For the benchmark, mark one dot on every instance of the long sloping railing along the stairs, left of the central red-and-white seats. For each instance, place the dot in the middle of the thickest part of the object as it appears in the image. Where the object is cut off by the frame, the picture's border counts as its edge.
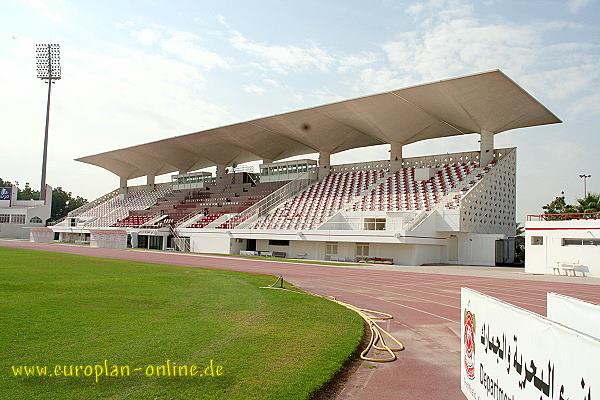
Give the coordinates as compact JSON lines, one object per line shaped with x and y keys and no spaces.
{"x":263,"y":206}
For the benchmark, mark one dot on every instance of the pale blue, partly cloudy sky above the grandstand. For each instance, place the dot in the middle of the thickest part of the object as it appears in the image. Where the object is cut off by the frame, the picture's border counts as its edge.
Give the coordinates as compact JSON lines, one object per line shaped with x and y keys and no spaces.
{"x":138,"y":71}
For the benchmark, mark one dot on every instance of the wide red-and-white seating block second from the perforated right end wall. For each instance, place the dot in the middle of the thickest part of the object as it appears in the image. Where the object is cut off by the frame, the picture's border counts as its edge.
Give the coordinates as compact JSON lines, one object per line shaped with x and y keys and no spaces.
{"x":400,"y":192}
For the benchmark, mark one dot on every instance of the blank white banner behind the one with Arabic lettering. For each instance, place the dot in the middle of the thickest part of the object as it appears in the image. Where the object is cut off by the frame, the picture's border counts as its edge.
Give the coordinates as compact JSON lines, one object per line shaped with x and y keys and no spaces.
{"x":574,"y":313}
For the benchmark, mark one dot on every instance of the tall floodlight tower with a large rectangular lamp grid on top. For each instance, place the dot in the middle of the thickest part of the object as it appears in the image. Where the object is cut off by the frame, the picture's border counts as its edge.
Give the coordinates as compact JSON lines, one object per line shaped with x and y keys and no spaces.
{"x":48,"y":69}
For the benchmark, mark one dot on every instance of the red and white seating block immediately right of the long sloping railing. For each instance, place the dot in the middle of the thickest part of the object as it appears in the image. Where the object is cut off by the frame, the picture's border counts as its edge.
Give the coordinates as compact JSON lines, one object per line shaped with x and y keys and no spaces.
{"x":319,"y":201}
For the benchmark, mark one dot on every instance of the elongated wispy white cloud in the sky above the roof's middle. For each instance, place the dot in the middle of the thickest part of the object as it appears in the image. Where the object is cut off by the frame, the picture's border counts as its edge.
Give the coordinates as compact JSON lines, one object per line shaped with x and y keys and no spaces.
{"x":283,"y":58}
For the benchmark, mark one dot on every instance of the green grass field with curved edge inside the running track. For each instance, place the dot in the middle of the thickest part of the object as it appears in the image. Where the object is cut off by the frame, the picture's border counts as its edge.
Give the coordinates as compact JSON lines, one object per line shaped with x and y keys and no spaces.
{"x":60,"y":309}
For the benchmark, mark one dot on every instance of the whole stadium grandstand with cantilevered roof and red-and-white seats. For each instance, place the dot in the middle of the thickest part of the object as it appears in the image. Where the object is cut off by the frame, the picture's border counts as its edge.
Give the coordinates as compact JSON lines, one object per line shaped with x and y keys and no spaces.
{"x":445,"y":208}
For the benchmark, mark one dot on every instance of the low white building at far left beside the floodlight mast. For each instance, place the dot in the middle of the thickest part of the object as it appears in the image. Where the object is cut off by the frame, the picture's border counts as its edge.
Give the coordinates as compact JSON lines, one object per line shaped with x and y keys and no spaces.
{"x":17,"y":217}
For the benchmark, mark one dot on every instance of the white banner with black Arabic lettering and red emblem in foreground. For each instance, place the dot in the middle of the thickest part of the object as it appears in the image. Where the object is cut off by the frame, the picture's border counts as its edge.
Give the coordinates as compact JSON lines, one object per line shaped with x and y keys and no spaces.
{"x":511,"y":353}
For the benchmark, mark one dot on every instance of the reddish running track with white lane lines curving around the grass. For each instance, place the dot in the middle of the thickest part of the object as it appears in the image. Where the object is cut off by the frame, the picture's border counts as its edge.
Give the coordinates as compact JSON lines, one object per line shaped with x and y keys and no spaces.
{"x":425,"y":306}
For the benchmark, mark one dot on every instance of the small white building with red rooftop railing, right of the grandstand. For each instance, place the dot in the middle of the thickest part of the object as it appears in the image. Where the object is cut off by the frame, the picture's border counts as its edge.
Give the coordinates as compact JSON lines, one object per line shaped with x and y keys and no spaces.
{"x":564,"y":245}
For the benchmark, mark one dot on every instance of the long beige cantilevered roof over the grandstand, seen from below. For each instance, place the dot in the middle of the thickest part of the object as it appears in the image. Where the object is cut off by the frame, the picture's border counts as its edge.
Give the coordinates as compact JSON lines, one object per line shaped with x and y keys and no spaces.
{"x":487,"y":101}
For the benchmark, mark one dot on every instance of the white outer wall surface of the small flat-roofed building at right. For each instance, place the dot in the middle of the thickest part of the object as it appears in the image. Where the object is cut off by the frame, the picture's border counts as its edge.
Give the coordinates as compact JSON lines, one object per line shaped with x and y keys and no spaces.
{"x":541,"y":259}
